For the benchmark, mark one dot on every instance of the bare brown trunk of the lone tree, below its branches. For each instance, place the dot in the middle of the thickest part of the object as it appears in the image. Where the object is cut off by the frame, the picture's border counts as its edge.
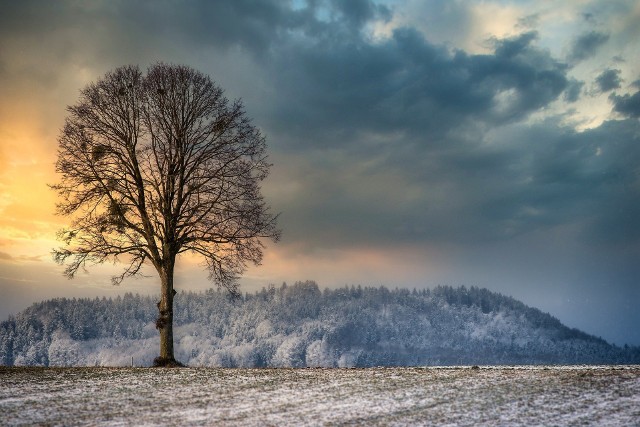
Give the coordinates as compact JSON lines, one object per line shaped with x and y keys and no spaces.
{"x":164,"y":323}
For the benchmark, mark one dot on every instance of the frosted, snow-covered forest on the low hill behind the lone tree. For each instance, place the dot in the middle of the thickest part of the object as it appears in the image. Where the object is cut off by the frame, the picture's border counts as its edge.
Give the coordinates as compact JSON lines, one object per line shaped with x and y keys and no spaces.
{"x":301,"y":325}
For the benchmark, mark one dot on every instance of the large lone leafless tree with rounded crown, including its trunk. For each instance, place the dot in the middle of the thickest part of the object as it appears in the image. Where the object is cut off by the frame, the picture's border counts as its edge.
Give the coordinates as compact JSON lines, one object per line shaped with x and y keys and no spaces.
{"x":156,"y":165}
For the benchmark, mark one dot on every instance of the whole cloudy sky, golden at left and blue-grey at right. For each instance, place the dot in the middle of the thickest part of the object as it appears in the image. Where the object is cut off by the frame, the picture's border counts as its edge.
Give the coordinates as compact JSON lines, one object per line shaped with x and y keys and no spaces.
{"x":482,"y":143}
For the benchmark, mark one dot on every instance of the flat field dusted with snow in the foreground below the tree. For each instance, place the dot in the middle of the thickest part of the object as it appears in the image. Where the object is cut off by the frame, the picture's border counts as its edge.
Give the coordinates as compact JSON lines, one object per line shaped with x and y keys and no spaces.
{"x":582,"y":395}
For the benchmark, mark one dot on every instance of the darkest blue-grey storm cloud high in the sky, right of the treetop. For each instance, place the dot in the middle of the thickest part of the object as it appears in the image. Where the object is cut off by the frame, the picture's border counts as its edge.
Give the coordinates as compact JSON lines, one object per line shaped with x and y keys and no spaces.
{"x":405,"y":84}
